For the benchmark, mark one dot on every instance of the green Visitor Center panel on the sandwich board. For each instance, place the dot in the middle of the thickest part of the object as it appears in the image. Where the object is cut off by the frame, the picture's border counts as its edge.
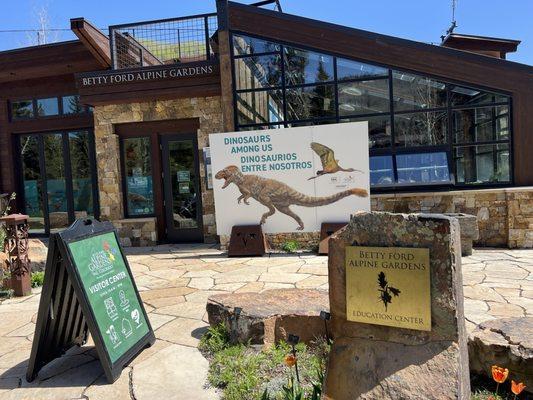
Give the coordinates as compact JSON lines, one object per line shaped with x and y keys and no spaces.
{"x":110,"y":291}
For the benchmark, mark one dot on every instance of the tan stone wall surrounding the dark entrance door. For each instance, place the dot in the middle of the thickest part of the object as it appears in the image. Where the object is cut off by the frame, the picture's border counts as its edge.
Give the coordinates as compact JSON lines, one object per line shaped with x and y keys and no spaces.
{"x":206,"y":109}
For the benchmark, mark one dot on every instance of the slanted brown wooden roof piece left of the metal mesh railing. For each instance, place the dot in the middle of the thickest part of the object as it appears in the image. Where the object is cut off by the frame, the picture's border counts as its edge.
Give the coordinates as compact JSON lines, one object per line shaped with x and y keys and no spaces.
{"x":94,"y":39}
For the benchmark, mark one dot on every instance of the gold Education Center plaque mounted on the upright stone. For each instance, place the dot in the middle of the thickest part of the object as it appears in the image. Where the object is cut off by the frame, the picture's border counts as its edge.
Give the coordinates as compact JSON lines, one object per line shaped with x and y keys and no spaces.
{"x":388,"y":286}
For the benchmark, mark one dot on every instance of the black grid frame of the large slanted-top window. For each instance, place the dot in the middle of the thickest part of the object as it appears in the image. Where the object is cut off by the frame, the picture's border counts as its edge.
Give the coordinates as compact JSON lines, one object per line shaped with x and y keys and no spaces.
{"x":448,"y":147}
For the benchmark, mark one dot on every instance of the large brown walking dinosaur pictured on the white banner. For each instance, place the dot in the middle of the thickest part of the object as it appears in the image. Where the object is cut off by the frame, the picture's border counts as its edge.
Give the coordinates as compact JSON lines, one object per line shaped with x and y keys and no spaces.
{"x":276,"y":195}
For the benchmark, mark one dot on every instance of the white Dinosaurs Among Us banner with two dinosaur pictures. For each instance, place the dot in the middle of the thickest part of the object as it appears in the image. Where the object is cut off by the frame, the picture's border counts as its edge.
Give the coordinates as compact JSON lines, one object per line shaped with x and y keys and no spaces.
{"x":291,"y":179}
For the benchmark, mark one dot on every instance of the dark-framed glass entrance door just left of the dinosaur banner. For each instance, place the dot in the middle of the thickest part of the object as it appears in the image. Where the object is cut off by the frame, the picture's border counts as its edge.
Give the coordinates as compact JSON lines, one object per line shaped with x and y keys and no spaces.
{"x":183,"y":204}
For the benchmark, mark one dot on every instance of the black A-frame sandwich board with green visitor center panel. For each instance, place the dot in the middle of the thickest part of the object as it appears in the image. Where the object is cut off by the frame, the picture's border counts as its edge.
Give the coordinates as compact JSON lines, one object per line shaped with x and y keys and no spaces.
{"x":89,"y":288}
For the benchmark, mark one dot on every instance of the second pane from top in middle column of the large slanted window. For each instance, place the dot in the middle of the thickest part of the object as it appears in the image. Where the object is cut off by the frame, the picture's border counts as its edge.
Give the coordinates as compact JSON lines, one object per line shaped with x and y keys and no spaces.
{"x":364,"y":97}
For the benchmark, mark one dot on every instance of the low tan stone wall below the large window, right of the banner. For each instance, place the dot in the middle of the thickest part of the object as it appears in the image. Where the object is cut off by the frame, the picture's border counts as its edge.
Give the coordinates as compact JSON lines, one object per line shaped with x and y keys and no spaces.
{"x":505,"y":216}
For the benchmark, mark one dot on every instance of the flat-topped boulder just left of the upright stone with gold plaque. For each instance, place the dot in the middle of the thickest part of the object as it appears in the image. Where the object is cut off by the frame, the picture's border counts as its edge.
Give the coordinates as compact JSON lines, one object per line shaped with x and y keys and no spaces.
{"x":270,"y":316}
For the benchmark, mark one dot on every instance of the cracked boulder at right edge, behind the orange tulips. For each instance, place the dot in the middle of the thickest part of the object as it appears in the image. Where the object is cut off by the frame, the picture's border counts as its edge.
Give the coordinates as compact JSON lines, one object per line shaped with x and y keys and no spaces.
{"x":507,"y":342}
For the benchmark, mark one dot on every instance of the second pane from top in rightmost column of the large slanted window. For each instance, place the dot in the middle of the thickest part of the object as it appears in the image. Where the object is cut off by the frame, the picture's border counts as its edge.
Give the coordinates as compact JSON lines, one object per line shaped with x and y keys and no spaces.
{"x":484,"y":124}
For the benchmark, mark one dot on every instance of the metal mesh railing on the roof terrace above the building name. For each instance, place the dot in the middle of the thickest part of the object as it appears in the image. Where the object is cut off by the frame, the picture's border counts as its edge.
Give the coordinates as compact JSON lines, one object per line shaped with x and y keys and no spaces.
{"x":168,"y":41}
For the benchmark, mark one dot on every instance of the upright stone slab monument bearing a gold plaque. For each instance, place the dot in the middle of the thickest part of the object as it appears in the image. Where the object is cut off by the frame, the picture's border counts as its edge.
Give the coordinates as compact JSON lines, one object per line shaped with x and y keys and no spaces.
{"x":396,"y":302}
